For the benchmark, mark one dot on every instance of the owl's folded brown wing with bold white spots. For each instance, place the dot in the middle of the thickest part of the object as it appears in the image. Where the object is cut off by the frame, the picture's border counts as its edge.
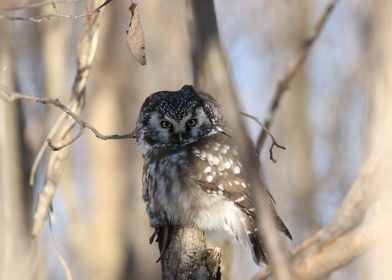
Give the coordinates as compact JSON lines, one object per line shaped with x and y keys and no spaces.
{"x":216,"y":168}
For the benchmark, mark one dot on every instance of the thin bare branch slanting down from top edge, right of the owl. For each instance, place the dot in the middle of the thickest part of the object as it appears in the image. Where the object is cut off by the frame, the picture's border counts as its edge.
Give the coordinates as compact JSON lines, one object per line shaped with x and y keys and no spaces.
{"x":284,"y":83}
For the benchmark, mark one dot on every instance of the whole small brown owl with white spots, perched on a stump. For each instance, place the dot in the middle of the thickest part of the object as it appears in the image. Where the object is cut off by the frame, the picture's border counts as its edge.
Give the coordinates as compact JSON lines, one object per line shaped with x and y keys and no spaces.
{"x":192,"y":173}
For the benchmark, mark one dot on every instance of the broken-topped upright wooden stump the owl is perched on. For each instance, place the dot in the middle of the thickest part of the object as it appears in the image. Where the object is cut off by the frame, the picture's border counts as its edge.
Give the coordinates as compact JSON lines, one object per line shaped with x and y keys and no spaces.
{"x":187,"y":257}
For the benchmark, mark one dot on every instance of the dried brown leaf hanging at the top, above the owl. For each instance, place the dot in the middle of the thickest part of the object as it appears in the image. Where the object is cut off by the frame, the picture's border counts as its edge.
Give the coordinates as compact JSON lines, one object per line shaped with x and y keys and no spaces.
{"x":136,"y":36}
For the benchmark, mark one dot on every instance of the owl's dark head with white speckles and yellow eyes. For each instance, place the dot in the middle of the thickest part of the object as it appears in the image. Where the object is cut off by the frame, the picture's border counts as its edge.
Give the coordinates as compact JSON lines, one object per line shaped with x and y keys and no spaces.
{"x":177,"y":118}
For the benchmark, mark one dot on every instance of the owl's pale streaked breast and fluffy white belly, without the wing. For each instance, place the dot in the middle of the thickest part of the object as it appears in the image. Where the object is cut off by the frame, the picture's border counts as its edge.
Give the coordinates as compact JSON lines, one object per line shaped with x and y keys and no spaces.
{"x":173,"y":196}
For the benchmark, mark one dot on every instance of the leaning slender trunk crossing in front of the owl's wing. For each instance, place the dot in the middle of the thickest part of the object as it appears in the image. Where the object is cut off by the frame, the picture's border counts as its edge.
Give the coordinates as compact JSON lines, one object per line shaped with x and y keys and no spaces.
{"x":212,"y":74}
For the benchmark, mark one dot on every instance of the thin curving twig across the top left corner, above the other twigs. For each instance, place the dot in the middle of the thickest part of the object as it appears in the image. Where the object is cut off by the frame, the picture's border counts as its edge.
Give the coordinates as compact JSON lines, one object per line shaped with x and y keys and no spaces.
{"x":55,"y":14}
